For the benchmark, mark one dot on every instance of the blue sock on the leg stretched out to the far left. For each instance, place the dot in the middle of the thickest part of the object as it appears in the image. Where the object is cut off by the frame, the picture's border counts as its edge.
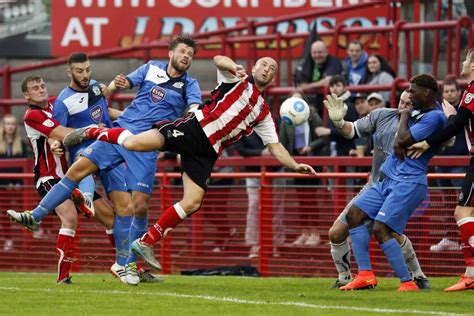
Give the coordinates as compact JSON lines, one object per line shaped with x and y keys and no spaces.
{"x":57,"y":195}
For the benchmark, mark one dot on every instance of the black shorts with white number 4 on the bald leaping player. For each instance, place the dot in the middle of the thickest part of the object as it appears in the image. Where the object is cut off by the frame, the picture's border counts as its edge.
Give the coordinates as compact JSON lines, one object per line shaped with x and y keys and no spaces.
{"x":186,"y":137}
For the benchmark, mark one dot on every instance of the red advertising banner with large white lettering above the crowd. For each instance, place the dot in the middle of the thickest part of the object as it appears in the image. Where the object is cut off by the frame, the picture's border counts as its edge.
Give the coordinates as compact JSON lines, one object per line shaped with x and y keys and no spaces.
{"x":91,"y":25}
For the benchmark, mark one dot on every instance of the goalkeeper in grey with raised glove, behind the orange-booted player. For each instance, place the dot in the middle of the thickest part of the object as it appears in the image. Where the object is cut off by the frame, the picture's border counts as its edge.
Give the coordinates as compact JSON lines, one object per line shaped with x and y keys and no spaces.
{"x":382,"y":124}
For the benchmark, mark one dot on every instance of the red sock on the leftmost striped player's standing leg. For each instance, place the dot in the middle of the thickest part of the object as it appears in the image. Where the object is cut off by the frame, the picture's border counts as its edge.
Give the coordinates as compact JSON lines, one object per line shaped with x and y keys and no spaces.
{"x":65,"y":248}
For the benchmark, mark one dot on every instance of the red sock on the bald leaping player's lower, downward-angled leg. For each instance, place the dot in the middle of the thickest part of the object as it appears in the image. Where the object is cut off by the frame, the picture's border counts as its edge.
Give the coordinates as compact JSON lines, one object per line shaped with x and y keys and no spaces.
{"x":167,"y":221}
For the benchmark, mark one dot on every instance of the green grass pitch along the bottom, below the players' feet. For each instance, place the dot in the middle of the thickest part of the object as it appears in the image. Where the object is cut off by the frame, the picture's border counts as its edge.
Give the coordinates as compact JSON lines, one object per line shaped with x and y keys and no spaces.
{"x":101,"y":294}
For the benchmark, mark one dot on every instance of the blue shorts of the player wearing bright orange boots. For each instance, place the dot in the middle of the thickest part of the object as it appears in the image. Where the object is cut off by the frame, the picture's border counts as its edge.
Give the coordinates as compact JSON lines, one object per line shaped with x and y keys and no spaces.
{"x":392,"y":202}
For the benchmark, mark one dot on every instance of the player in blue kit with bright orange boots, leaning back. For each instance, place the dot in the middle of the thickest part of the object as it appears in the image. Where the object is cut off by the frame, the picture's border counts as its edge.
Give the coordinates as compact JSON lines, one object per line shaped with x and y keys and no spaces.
{"x":391,"y":201}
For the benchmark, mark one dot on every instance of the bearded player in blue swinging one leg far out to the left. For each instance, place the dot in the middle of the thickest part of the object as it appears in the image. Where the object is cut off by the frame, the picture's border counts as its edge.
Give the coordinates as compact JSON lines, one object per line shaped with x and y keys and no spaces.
{"x":165,"y":92}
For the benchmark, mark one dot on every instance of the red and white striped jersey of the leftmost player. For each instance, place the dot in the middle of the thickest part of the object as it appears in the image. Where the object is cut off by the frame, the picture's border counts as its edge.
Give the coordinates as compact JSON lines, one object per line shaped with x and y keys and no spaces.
{"x":38,"y":125}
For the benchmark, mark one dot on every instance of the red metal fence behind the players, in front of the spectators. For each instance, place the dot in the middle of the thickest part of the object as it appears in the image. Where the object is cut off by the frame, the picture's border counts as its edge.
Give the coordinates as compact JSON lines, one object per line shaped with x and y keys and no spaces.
{"x":215,"y":236}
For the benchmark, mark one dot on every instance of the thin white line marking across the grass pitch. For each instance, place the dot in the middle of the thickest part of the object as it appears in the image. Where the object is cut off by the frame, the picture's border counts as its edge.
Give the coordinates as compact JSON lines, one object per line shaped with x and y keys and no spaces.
{"x":235,"y":300}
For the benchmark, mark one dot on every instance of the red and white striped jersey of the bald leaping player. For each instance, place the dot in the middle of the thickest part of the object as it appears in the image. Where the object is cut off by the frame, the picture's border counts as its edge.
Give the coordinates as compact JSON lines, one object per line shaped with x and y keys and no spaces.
{"x":237,"y":109}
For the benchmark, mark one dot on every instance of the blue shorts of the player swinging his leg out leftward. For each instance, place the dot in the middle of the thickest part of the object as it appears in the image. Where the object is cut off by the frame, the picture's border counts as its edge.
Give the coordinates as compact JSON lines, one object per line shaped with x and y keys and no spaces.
{"x":141,"y":166}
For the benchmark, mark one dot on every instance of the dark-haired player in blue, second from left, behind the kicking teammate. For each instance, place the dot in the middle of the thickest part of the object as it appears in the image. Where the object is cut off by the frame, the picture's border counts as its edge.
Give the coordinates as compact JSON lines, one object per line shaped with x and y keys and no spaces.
{"x":81,"y":104}
